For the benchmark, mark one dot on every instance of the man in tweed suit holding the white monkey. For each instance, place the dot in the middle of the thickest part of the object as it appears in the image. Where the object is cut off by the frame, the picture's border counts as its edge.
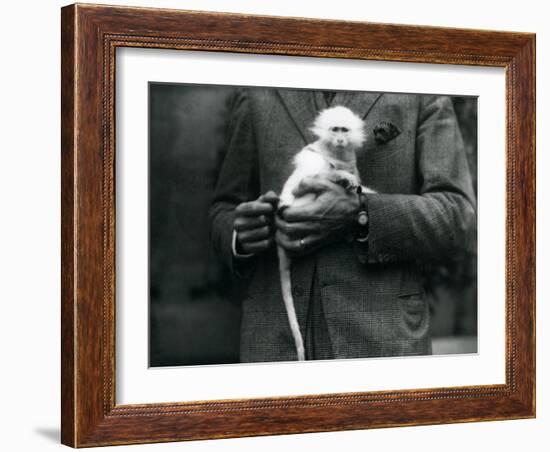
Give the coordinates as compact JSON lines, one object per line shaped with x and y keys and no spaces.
{"x":355,"y":296}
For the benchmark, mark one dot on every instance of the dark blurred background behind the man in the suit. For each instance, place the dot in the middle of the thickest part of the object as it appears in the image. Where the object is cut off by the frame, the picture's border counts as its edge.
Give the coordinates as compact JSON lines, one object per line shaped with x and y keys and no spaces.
{"x":194,"y":308}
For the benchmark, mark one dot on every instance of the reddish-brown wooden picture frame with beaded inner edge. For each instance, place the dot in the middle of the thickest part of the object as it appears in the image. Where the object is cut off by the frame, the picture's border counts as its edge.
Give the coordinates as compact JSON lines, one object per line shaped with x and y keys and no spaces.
{"x":90,"y":36}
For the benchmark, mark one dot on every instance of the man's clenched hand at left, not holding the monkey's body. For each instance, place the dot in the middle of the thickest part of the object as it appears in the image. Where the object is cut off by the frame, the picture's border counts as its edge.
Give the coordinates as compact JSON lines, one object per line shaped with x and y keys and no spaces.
{"x":254,"y":224}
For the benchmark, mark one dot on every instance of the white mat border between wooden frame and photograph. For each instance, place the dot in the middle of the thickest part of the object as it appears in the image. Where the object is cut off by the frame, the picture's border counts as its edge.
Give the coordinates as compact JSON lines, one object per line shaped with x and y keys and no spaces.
{"x":136,"y":383}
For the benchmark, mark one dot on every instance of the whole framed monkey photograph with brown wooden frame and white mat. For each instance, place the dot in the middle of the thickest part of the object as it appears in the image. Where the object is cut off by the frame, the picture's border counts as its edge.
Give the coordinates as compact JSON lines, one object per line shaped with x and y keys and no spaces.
{"x":266,"y":231}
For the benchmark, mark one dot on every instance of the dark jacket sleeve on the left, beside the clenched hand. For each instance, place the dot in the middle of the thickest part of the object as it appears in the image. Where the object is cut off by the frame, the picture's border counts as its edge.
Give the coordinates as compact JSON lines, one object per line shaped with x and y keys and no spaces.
{"x":237,"y":183}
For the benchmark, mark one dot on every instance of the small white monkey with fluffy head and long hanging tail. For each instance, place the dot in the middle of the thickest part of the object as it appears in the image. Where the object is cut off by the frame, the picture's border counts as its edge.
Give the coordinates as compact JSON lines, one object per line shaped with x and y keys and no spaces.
{"x":340,"y":132}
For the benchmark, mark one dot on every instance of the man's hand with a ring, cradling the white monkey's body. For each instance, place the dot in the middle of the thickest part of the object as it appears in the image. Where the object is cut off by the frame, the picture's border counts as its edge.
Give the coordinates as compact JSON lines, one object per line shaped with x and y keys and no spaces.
{"x":326,"y":219}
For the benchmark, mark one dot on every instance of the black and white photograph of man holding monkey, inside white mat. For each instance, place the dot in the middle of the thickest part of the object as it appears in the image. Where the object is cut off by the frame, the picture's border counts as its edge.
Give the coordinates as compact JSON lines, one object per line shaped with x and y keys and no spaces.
{"x":293,"y":224}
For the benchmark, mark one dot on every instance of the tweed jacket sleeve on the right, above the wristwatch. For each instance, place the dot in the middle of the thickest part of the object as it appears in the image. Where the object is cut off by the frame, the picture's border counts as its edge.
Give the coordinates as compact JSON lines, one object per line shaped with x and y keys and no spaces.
{"x":439,"y":222}
